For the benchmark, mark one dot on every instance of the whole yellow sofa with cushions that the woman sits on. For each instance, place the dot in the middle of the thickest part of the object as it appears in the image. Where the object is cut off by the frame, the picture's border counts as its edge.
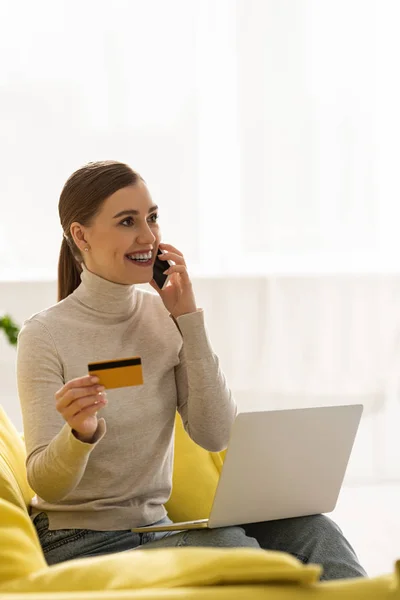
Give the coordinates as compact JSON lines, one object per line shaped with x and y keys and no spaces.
{"x":163,"y":574}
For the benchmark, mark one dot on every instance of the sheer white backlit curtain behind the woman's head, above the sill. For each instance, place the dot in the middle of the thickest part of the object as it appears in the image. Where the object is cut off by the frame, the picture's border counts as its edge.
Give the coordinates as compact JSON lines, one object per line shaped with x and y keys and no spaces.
{"x":266,"y":129}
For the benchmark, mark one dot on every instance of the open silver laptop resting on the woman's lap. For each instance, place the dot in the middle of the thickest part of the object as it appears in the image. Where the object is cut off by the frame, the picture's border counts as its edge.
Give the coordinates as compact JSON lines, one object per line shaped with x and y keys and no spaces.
{"x":280,"y":464}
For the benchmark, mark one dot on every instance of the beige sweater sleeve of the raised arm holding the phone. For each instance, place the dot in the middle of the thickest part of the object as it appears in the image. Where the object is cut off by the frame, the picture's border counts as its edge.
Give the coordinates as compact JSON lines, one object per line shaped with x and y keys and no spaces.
{"x":205,"y":402}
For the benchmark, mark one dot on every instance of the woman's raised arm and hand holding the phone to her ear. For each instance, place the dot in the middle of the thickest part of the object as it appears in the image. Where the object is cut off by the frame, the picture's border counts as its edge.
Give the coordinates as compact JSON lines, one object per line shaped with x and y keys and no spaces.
{"x":205,"y":402}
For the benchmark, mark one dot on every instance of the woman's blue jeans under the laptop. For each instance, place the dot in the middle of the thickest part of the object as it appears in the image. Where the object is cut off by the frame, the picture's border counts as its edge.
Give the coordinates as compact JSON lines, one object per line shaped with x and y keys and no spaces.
{"x":314,"y":539}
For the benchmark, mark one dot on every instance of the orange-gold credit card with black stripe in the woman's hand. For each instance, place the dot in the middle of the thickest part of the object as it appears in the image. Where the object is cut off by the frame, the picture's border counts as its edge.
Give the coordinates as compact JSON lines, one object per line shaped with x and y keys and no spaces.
{"x":120,"y":372}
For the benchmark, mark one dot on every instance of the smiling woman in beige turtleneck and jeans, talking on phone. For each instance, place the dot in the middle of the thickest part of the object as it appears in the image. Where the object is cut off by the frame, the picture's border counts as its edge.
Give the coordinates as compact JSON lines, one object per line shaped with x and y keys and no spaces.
{"x":98,"y":477}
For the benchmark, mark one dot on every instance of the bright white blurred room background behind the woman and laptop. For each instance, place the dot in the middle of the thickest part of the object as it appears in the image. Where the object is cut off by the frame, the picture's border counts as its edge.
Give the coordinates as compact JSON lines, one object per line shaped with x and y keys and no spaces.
{"x":267,"y":131}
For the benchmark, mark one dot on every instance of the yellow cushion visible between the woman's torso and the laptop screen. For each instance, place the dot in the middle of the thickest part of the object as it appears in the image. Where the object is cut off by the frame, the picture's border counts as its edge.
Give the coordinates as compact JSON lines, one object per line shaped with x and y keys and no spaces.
{"x":195,"y":478}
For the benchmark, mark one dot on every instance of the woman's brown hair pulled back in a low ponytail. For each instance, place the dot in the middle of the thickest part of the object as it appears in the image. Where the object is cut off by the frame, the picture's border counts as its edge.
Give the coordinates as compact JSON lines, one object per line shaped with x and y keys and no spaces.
{"x":81,"y":199}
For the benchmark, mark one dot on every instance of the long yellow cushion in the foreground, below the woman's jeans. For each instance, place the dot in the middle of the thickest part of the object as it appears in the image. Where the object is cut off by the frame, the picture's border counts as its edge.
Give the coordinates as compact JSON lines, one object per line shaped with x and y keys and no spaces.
{"x":167,"y":568}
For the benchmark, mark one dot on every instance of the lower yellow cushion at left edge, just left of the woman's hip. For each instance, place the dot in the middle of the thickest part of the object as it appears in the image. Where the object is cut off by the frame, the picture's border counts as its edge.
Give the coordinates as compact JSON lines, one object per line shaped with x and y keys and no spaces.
{"x":20,"y":550}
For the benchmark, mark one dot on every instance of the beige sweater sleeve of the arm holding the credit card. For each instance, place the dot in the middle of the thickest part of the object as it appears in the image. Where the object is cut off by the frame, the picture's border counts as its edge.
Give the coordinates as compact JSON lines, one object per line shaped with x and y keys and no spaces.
{"x":56,"y":459}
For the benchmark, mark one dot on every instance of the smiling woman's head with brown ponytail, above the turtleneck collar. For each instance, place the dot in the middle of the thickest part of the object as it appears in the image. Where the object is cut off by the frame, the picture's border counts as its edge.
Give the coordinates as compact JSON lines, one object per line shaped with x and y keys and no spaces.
{"x":109,"y":222}
